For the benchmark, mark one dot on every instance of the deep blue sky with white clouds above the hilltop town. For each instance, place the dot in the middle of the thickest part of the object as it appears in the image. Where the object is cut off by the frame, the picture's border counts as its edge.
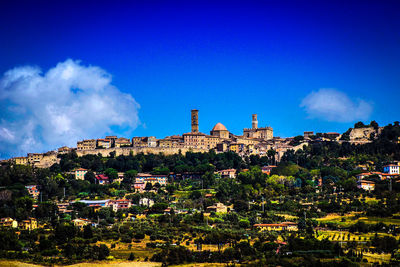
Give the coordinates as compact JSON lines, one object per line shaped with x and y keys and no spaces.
{"x":228,"y":59}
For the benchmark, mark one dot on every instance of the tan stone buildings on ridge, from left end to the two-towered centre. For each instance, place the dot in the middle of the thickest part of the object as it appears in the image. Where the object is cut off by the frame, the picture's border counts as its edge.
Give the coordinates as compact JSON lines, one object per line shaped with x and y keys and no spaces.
{"x":253,"y":141}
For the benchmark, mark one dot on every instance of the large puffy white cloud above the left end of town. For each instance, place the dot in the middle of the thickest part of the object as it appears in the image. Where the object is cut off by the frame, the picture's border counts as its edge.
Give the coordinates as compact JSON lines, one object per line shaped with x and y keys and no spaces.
{"x":70,"y":102}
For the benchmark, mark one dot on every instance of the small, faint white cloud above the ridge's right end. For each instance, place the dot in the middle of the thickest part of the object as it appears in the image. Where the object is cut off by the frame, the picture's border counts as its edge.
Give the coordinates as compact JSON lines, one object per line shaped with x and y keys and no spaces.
{"x":333,"y":105}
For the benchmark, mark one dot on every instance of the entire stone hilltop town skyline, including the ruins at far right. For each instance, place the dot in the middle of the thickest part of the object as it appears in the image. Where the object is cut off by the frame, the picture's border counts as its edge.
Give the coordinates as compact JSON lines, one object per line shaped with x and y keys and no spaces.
{"x":254,"y":141}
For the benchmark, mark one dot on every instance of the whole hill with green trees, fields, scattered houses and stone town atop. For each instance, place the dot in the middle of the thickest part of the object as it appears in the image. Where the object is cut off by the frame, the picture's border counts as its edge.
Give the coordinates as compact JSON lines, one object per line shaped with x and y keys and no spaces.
{"x":251,"y":199}
